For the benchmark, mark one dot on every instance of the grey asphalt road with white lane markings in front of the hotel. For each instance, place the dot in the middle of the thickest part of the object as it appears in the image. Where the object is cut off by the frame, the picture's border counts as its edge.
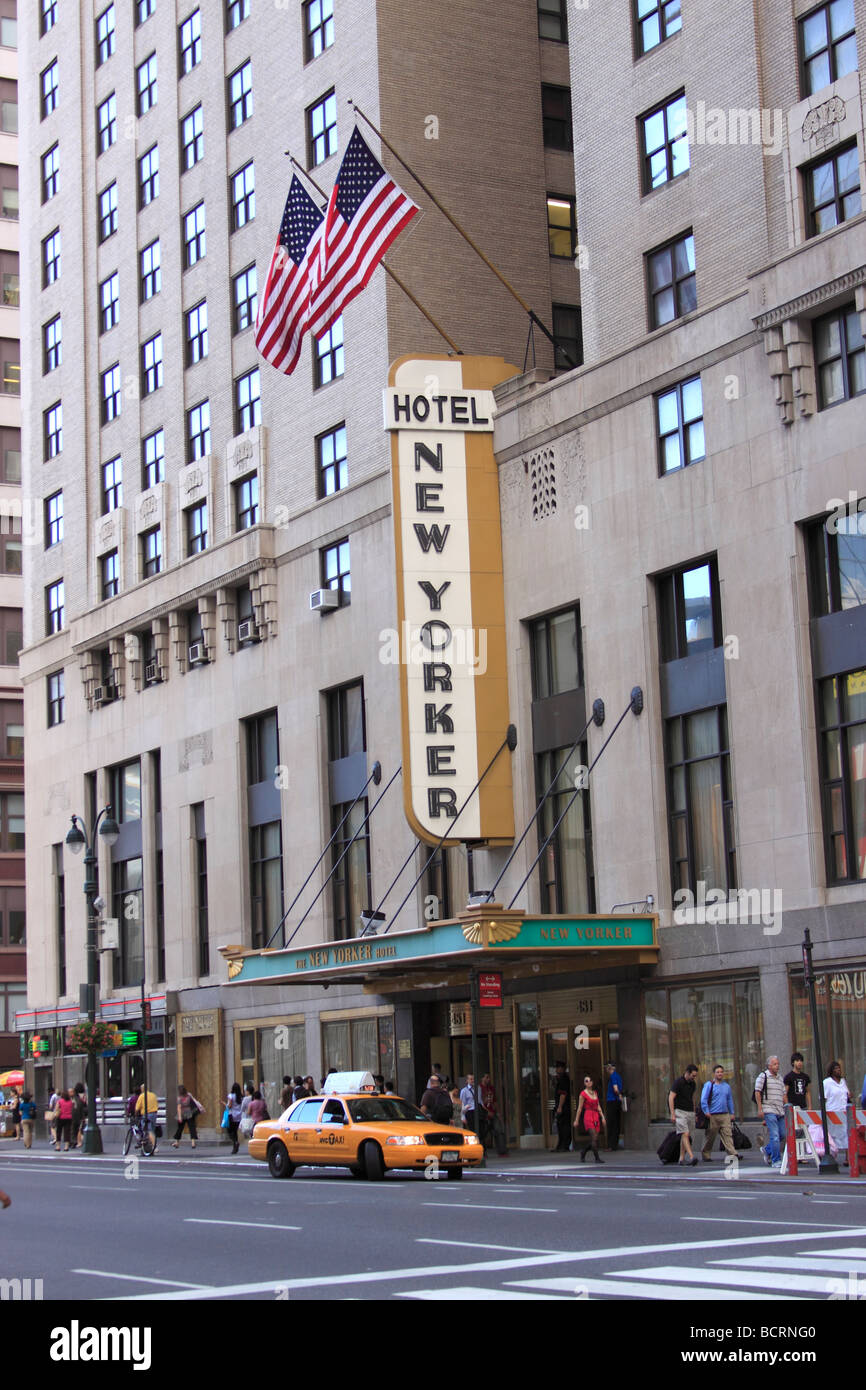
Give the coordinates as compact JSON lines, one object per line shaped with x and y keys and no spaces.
{"x":172,"y":1231}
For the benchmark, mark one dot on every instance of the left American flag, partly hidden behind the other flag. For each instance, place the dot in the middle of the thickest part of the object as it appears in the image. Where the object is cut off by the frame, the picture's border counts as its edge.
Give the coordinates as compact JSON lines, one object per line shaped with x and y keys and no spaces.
{"x":284,"y":311}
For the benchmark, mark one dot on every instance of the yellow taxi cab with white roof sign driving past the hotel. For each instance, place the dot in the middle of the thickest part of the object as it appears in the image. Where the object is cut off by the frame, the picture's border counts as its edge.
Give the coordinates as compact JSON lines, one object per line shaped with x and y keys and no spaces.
{"x":352,"y":1125}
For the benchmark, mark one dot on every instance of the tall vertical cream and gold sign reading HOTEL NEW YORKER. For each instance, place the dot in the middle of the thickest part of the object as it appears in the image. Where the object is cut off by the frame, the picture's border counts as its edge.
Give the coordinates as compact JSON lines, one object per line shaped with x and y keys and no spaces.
{"x":451,"y":604}
